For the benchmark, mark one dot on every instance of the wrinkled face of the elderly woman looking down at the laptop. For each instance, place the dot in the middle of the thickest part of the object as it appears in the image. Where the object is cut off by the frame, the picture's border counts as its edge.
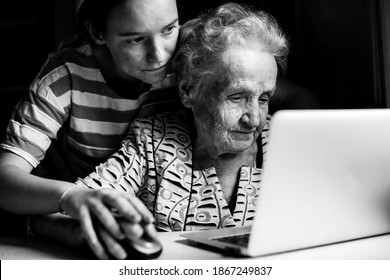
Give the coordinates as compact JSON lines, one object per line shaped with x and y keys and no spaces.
{"x":233,"y":113}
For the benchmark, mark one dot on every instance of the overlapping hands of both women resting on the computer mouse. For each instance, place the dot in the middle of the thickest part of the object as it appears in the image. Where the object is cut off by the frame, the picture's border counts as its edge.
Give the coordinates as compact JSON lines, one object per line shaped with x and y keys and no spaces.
{"x":108,"y":216}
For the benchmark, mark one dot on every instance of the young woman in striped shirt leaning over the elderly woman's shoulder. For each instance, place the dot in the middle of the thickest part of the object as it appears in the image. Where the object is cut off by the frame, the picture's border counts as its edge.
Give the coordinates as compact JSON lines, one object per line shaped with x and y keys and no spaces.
{"x":79,"y":108}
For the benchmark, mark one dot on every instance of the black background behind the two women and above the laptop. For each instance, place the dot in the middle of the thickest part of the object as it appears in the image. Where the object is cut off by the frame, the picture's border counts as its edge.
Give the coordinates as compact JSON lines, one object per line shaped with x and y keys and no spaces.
{"x":336,"y":46}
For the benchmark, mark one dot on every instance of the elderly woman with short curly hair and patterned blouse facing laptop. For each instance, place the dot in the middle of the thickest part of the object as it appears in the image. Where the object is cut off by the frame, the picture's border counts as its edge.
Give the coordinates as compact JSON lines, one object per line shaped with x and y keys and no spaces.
{"x":200,"y":168}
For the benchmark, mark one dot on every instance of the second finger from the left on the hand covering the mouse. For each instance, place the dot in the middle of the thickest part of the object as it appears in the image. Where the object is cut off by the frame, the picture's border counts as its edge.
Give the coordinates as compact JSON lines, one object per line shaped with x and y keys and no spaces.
{"x":106,"y":217}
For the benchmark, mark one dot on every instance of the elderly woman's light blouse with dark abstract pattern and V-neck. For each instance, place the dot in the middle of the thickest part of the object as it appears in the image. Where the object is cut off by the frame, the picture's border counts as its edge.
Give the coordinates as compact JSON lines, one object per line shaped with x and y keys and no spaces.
{"x":155,"y":163}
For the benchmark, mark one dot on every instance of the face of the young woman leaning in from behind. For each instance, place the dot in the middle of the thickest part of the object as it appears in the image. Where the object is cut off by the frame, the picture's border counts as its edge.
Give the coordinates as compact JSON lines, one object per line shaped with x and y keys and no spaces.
{"x":141,"y":37}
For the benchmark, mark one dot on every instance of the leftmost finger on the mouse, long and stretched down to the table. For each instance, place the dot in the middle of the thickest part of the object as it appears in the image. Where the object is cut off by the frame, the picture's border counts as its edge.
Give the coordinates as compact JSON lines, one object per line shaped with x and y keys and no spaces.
{"x":89,"y":233}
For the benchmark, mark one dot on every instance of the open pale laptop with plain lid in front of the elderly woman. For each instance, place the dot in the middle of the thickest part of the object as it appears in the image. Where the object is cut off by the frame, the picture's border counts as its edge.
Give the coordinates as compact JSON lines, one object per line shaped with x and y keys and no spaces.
{"x":326,"y":180}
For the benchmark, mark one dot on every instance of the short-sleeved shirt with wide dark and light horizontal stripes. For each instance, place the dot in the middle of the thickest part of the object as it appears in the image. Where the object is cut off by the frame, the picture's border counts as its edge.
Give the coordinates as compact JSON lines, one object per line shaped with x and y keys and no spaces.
{"x":71,"y":94}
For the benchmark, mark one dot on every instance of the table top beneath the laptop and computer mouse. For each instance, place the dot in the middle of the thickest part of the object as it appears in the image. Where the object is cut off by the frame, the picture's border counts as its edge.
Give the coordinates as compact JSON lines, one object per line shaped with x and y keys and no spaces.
{"x":179,"y":248}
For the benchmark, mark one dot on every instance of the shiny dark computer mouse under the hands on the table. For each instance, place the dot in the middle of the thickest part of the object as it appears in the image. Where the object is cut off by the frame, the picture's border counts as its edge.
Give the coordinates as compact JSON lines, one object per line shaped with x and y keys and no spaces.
{"x":146,"y":247}
